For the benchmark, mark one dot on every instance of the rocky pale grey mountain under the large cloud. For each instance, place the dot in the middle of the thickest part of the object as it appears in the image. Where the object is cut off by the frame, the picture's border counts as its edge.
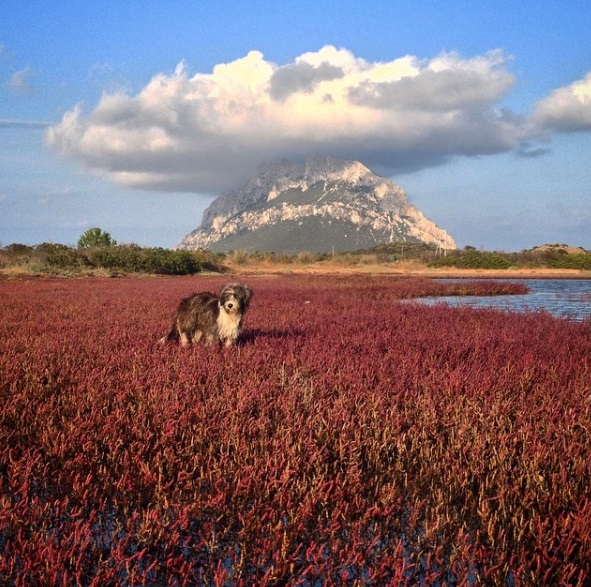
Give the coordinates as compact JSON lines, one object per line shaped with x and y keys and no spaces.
{"x":323,"y":205}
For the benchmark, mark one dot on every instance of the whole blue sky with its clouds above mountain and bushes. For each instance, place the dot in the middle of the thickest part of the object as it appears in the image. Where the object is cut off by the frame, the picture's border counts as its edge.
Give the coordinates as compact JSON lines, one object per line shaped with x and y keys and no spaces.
{"x":132,"y":116}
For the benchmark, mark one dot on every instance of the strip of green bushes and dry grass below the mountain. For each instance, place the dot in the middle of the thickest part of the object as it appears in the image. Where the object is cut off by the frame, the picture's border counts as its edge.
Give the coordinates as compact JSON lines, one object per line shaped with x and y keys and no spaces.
{"x":98,"y":254}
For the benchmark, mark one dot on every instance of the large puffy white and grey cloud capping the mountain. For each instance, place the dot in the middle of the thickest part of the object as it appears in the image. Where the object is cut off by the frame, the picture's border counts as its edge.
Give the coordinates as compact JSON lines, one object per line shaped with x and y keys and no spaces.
{"x":209,"y":131}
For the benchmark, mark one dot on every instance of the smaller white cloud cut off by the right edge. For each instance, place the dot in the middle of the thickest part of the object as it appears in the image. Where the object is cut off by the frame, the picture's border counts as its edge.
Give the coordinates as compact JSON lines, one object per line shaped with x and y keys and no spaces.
{"x":567,"y":109}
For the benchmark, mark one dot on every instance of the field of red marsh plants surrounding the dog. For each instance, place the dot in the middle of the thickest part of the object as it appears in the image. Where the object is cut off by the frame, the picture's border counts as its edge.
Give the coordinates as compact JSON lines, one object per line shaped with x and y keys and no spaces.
{"x":349,"y":440}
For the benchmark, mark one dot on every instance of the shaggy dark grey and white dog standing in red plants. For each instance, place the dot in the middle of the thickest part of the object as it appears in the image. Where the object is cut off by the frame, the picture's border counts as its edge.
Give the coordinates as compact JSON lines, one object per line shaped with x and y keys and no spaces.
{"x":205,"y":316}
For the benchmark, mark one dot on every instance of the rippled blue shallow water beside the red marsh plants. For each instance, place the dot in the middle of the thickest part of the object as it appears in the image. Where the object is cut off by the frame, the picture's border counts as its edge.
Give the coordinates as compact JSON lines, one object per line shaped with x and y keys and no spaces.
{"x":565,"y":298}
